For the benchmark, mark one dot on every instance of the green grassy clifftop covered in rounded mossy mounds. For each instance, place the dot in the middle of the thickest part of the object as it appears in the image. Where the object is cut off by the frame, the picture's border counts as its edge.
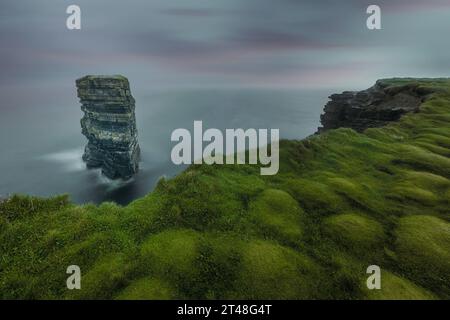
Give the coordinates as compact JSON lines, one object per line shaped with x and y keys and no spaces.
{"x":342,"y":201}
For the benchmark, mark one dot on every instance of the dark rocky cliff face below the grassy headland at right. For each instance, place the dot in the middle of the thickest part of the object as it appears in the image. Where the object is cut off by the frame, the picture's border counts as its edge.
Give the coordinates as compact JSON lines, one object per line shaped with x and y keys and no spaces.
{"x":374,"y":107}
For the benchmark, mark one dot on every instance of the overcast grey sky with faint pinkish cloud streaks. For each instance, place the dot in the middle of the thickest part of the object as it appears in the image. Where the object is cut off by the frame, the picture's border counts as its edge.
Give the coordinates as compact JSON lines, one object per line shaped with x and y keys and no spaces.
{"x":220,"y":43}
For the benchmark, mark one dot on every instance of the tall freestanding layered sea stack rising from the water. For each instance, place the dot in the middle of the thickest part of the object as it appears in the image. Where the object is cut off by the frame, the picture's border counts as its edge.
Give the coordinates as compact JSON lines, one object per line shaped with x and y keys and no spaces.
{"x":109,"y":124}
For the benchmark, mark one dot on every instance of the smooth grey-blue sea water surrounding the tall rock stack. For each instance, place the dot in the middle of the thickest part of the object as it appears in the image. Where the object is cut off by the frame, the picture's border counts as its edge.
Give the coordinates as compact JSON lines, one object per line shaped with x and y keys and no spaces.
{"x":42,"y":145}
